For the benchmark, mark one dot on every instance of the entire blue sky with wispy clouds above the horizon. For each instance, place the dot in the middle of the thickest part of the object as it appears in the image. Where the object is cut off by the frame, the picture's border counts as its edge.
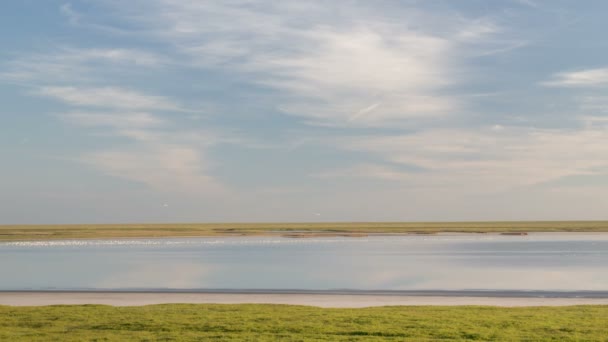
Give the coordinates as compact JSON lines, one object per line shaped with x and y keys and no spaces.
{"x":243,"y":110}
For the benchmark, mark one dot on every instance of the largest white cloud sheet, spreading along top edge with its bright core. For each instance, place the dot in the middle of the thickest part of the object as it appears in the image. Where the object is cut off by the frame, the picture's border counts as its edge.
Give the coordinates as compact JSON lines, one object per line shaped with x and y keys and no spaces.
{"x":354,"y":65}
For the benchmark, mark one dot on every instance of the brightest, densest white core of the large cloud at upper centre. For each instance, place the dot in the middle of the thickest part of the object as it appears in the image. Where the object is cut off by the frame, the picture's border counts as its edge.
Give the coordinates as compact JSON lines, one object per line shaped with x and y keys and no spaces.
{"x":364,"y":78}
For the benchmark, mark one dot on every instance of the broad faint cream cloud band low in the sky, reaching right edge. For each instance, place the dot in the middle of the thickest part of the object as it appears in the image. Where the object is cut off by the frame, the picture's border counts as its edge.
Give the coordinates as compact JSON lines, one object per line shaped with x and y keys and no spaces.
{"x":486,"y":160}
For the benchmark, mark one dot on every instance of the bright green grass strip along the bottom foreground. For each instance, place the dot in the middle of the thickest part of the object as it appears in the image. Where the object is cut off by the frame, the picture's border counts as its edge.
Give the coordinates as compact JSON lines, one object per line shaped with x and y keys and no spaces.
{"x":190,"y":322}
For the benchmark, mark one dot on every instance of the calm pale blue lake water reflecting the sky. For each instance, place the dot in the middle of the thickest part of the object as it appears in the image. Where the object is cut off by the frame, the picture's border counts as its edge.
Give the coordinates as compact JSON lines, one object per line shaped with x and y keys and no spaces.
{"x":541,"y":261}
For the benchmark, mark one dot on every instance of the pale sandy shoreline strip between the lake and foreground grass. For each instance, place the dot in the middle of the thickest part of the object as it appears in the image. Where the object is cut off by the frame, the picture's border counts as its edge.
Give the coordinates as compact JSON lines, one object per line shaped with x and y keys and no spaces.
{"x":319,"y":300}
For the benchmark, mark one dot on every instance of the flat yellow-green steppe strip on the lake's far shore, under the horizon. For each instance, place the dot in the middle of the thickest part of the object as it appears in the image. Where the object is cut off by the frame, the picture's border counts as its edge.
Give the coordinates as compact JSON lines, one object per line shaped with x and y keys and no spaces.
{"x":59,"y":232}
